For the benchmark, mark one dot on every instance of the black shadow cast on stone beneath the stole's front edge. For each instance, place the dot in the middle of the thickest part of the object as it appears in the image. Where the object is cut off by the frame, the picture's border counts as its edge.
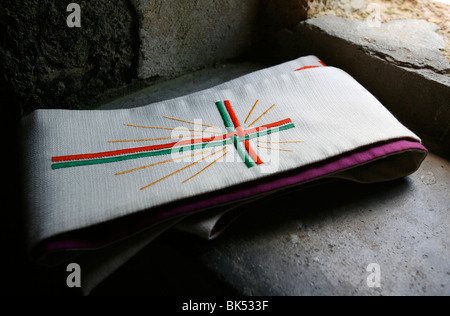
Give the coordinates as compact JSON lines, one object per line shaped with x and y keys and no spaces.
{"x":174,"y":263}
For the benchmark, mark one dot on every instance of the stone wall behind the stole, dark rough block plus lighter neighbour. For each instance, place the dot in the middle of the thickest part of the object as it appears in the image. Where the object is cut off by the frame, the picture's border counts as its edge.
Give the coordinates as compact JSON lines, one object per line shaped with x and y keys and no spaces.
{"x":46,"y":64}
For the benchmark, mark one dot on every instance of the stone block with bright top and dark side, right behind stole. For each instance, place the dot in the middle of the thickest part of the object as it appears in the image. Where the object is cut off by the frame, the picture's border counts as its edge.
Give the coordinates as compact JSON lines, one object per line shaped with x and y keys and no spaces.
{"x":412,"y":81}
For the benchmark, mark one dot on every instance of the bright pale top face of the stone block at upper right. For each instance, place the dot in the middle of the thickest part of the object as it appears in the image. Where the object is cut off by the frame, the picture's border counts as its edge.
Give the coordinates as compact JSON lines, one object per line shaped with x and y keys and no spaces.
{"x":412,"y":43}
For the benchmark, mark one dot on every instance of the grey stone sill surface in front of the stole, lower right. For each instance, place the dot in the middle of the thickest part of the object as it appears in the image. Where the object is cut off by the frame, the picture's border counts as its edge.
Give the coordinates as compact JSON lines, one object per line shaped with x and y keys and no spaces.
{"x":321,"y":241}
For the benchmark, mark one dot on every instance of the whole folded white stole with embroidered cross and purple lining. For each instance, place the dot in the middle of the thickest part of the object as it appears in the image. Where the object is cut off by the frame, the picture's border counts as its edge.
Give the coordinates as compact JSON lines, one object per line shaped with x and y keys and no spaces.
{"x":93,"y":178}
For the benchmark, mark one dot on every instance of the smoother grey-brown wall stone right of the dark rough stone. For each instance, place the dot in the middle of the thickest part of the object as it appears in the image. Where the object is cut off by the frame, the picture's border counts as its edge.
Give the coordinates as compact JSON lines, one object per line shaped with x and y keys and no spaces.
{"x":180,"y":35}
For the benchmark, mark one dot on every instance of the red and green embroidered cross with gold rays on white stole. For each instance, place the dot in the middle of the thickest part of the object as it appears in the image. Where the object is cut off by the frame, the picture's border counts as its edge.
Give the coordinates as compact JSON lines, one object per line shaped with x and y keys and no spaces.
{"x":235,"y":135}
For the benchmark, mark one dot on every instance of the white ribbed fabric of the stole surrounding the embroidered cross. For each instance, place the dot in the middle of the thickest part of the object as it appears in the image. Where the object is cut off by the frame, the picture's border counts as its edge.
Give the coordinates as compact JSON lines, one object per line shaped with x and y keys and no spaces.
{"x":332,"y":114}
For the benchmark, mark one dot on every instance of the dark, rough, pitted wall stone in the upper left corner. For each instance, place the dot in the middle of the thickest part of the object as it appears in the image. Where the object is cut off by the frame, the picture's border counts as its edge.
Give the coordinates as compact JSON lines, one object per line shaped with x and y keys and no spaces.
{"x":46,"y":64}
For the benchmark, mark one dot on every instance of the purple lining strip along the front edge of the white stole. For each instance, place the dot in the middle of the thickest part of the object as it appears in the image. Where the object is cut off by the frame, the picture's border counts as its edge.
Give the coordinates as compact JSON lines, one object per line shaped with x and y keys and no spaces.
{"x":67,"y":241}
